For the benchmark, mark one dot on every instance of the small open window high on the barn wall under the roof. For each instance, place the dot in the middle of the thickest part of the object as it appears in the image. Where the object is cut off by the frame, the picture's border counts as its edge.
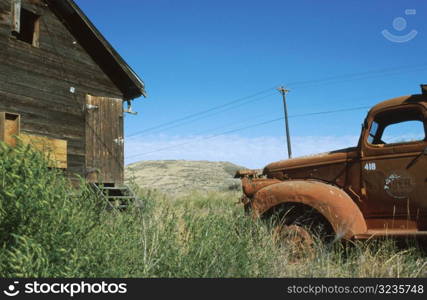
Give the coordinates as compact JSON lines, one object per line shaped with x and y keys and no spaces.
{"x":28,"y":27}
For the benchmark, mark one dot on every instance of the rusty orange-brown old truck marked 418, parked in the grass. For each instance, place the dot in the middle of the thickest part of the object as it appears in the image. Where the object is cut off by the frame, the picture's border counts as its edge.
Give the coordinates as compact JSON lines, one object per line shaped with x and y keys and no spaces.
{"x":376,"y":189}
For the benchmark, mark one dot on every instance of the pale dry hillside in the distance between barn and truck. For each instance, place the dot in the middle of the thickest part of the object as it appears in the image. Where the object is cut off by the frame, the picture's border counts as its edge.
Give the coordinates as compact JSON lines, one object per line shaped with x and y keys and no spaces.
{"x":178,"y":176}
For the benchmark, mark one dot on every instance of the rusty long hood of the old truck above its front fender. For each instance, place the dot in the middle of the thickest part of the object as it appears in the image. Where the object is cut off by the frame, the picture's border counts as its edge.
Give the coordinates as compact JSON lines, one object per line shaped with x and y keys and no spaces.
{"x":306,"y":162}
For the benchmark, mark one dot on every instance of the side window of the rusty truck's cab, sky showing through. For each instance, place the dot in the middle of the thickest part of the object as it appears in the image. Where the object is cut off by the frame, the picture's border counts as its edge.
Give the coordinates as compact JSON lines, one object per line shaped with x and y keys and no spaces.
{"x":397,"y":126}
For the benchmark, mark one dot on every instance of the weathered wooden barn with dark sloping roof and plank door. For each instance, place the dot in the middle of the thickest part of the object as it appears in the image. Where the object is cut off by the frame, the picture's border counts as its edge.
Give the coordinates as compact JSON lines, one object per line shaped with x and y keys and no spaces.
{"x":62,"y":88}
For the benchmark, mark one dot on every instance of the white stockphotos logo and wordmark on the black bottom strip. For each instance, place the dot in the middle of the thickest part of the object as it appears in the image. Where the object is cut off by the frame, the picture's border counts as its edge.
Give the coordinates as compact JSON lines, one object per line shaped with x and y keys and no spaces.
{"x":70,"y":289}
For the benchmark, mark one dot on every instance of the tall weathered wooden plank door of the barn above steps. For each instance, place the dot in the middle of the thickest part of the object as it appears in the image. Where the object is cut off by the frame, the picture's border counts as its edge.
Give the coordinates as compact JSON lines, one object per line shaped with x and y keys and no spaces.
{"x":104,"y":140}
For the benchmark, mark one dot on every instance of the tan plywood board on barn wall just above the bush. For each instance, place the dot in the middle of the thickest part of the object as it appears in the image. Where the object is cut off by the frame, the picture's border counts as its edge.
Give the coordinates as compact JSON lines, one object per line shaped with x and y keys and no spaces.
{"x":54,"y":149}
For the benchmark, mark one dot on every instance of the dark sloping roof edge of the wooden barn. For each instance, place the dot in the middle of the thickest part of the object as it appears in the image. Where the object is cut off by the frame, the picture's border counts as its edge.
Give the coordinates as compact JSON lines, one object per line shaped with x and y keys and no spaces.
{"x":98,"y":48}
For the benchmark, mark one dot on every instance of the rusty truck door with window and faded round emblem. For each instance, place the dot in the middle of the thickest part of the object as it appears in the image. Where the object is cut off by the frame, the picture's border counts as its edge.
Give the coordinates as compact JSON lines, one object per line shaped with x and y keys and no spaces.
{"x":394,"y":164}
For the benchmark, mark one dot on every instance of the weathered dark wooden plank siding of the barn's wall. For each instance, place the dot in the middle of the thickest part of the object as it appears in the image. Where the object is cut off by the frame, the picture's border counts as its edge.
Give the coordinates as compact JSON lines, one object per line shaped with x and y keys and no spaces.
{"x":35,"y":82}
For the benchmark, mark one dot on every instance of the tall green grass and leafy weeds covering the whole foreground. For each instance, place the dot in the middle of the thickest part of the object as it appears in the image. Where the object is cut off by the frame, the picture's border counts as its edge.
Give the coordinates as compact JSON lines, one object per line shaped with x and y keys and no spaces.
{"x":49,"y":229}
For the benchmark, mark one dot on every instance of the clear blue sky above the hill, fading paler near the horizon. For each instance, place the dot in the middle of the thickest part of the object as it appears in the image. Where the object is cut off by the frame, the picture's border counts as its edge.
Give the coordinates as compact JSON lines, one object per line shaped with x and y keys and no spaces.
{"x":195,"y":55}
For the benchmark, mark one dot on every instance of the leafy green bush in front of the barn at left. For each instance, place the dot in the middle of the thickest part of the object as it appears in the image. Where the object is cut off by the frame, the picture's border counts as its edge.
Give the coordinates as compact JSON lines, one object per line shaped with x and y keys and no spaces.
{"x":41,"y":218}
